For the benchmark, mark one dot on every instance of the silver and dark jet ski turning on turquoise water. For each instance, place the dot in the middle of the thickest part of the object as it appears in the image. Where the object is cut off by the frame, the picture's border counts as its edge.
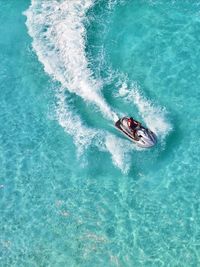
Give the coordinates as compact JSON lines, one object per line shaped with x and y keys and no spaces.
{"x":142,"y":136}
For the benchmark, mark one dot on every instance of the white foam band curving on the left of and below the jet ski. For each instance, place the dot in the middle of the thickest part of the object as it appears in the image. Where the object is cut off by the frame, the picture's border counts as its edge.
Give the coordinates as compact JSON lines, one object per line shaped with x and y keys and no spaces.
{"x":84,"y":136}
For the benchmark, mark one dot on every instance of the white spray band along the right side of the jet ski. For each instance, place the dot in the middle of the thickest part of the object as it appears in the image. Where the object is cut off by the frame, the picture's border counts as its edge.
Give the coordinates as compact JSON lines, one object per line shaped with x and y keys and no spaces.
{"x":154,"y":117}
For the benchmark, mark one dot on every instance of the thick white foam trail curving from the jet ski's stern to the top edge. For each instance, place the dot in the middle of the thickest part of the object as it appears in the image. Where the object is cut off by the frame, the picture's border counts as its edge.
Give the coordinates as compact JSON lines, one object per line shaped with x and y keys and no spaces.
{"x":58,"y":32}
